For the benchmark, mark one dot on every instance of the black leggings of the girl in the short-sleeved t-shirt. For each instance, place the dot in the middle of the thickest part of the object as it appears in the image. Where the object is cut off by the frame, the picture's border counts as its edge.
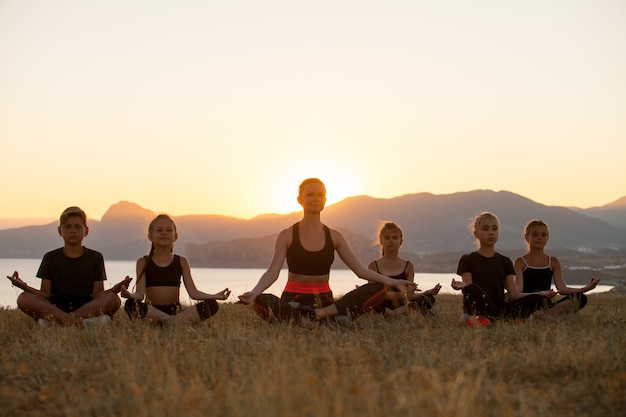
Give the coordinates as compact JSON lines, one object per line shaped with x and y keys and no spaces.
{"x":476,"y":302}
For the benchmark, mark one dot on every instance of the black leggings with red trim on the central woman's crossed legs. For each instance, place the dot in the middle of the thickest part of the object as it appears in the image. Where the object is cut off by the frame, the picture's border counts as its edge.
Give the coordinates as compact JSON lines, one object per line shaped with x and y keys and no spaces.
{"x":353,"y":304}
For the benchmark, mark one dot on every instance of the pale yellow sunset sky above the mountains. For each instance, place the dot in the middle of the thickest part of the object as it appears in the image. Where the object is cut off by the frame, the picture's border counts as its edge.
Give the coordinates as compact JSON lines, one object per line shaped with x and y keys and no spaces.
{"x":223,"y":107}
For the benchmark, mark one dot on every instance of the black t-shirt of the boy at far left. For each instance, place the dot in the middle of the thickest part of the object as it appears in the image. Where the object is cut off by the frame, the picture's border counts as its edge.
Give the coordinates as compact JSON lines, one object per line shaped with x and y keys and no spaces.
{"x":72,"y":276}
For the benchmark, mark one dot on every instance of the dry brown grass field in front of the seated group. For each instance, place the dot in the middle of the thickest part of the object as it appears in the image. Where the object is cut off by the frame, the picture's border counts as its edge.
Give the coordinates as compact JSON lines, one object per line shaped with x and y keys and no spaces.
{"x":238,"y":365}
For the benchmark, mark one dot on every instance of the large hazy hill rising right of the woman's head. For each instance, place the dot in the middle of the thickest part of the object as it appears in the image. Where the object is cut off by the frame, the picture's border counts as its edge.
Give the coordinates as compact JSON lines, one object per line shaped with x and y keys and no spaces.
{"x":437,"y":223}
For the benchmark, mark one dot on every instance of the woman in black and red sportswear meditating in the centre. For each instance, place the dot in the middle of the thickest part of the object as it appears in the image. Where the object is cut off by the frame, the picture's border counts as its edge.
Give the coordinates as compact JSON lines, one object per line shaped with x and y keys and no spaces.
{"x":309,"y":247}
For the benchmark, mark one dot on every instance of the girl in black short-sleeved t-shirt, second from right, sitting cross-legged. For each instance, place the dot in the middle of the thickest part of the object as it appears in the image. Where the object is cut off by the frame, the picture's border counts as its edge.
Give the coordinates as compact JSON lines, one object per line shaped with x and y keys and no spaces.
{"x":487,"y":274}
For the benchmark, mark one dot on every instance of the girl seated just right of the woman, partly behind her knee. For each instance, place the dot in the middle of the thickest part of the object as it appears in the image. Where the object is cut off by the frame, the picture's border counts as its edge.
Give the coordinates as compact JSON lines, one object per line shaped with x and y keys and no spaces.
{"x":390,"y":238}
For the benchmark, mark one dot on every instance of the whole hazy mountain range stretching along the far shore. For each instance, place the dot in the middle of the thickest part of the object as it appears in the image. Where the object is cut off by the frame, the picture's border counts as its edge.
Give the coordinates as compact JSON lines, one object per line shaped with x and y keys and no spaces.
{"x":432,"y":224}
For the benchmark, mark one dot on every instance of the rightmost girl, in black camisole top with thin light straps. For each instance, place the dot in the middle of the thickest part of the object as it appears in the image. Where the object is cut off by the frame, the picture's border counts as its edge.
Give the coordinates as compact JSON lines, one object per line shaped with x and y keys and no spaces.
{"x":536,"y":270}
